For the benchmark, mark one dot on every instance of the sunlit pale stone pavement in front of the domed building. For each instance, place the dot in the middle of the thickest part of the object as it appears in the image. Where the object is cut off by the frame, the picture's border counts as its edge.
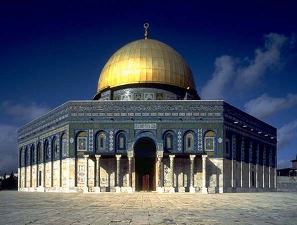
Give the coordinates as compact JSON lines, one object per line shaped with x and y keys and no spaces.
{"x":147,"y":208}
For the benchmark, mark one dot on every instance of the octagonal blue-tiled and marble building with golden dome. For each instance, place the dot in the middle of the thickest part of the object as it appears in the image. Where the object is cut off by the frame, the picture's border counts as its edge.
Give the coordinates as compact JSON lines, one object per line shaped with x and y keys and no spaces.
{"x":147,"y":130}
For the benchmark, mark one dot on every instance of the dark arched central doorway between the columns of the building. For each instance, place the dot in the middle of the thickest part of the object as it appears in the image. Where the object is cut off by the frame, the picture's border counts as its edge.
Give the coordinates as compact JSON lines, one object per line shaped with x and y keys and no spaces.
{"x":145,"y":161}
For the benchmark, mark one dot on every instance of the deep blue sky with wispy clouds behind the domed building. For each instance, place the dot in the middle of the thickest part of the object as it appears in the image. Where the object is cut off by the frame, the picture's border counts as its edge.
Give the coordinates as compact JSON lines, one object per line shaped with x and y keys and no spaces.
{"x":53,"y":52}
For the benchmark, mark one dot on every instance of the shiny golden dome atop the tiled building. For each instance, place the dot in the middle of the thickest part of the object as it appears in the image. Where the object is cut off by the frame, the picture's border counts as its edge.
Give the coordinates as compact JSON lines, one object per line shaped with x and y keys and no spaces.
{"x":146,"y":61}
